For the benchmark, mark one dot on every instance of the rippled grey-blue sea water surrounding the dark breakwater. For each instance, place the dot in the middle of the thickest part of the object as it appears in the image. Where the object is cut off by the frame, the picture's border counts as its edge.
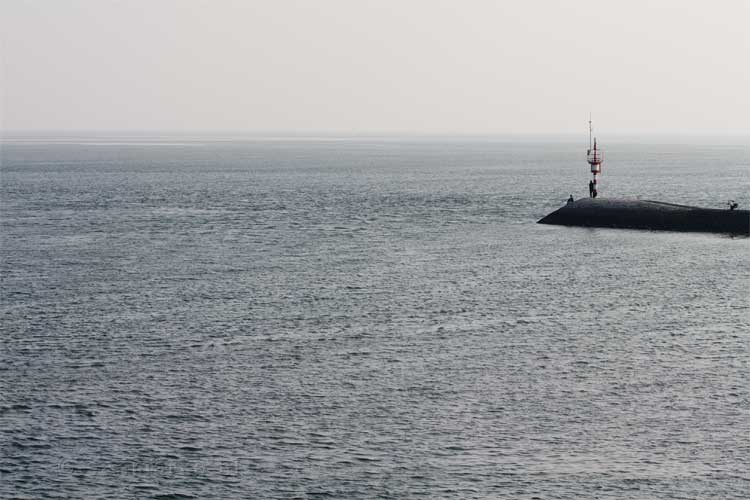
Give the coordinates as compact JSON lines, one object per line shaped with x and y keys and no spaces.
{"x":366,"y":319}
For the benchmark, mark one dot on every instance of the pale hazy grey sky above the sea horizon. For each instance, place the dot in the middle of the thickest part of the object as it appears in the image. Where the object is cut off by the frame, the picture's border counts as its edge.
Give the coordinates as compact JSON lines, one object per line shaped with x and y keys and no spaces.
{"x":349,"y":66}
